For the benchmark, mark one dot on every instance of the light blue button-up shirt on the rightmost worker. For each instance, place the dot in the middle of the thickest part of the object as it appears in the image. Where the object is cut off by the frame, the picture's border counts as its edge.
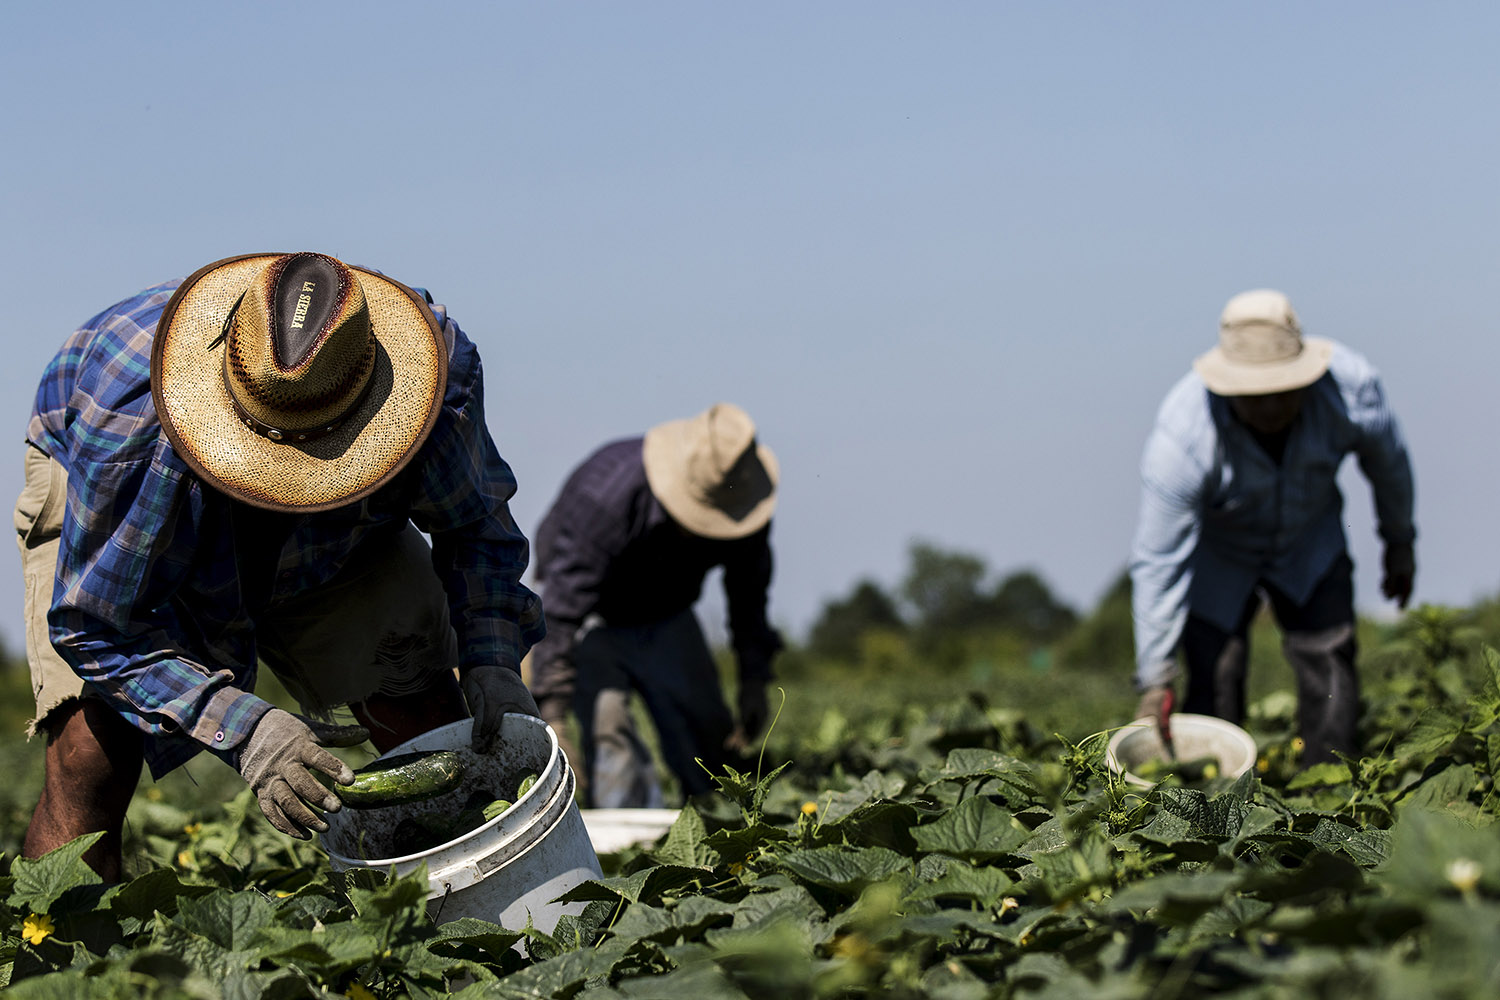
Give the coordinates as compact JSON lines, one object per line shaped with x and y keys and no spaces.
{"x":1219,"y":516}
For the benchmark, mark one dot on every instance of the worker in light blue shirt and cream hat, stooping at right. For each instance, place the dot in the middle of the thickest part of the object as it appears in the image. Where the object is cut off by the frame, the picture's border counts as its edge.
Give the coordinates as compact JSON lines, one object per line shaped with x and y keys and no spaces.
{"x":1240,"y":501}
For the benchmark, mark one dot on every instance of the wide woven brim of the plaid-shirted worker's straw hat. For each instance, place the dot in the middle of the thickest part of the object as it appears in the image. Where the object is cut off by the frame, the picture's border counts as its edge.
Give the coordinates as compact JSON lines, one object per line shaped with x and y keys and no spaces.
{"x":370,"y":448}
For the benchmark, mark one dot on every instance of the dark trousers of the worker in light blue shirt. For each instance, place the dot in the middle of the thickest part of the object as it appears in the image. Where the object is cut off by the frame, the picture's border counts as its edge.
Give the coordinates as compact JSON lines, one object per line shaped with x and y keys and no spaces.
{"x":1318,"y":639}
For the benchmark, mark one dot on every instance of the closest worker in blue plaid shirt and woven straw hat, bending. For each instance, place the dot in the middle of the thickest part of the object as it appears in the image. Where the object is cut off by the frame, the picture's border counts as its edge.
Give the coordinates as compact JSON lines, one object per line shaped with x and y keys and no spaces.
{"x":235,"y":469}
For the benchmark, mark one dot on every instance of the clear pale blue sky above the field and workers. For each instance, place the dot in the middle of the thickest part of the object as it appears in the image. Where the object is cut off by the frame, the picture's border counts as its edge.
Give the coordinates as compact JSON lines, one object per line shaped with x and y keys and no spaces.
{"x":949,"y":256}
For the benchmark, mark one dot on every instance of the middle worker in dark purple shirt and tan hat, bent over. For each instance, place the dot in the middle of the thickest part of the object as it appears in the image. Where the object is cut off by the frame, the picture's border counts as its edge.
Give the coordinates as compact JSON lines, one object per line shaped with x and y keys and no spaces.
{"x":622,"y":560}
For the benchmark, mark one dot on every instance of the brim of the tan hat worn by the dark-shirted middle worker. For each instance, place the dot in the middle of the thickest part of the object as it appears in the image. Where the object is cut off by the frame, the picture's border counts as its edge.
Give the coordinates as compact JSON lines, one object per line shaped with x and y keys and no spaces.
{"x":665,"y":452}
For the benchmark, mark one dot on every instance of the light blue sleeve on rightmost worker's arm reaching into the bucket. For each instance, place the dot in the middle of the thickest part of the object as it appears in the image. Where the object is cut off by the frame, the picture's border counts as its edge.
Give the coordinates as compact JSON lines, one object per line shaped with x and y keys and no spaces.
{"x":1162,"y":555}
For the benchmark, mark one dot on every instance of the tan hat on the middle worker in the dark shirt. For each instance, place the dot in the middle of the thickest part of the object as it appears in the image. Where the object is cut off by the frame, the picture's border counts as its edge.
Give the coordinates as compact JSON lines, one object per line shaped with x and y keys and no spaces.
{"x":710,"y":473}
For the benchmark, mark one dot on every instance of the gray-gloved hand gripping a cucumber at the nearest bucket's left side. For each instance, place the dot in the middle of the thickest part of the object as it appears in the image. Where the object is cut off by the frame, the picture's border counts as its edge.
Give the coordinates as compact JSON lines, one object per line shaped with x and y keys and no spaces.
{"x":275,"y":761}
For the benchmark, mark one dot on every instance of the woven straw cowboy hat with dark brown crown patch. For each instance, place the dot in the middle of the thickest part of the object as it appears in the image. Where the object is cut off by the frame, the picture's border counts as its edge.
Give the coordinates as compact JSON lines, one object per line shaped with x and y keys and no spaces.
{"x":296,"y":383}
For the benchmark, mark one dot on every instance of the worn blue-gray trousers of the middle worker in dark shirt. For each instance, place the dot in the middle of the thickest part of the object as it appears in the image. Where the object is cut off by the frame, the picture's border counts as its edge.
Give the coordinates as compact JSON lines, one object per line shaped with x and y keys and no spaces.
{"x":670,"y":666}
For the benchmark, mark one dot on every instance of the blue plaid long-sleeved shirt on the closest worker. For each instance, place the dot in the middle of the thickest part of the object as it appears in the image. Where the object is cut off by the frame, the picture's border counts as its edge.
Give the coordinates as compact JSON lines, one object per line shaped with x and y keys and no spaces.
{"x":151,"y":606}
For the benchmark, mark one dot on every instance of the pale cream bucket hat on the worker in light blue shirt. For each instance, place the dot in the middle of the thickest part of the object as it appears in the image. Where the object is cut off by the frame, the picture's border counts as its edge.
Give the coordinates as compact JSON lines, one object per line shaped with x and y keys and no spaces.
{"x":1262,"y":349}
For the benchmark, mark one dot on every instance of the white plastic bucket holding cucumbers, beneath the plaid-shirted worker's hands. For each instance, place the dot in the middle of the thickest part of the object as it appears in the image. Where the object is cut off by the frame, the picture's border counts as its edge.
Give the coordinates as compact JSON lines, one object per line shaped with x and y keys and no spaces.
{"x":505,"y":872}
